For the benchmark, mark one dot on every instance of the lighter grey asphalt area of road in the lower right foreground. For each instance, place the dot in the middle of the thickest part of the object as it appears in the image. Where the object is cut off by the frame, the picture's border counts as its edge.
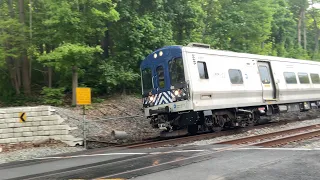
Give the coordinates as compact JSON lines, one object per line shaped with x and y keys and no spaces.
{"x":249,"y":164}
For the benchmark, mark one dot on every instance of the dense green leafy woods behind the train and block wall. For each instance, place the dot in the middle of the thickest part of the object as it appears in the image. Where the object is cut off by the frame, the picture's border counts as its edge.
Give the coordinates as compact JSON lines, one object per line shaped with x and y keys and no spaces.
{"x":101,"y":43}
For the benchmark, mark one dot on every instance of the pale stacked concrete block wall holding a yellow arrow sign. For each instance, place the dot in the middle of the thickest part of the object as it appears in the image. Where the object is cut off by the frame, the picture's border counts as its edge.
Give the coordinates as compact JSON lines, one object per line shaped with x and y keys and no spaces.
{"x":40,"y":125}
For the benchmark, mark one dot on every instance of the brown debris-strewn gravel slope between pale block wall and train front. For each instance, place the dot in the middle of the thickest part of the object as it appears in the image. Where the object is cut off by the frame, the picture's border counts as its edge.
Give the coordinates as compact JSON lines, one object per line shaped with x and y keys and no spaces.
{"x":103,"y":118}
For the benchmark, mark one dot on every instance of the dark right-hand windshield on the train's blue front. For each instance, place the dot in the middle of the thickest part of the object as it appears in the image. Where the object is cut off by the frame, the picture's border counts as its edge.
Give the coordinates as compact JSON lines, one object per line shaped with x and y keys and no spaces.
{"x":176,"y":72}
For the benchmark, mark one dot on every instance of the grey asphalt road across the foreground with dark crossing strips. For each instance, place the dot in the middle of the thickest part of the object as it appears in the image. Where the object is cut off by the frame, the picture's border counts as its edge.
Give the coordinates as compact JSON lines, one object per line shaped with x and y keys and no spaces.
{"x":197,"y":162}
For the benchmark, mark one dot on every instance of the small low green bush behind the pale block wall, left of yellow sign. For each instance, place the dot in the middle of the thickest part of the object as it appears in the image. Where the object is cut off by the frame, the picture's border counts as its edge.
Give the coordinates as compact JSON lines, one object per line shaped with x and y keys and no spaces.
{"x":53,"y":96}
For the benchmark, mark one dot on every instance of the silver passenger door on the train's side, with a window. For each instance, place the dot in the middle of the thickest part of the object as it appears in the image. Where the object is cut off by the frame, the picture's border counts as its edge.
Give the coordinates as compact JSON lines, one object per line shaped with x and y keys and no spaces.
{"x":267,"y":81}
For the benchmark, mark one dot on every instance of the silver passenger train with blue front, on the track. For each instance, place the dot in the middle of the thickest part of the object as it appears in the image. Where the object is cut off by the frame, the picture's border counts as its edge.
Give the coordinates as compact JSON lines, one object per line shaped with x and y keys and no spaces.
{"x":197,"y":88}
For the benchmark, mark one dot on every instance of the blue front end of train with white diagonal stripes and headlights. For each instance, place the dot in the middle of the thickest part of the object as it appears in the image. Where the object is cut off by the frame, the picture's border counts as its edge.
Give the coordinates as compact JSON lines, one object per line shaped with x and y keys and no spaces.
{"x":163,"y":80}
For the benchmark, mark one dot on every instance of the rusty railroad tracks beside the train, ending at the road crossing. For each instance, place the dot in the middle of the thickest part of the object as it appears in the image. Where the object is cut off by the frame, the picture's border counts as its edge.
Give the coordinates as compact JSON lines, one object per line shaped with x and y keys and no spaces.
{"x":254,"y":140}
